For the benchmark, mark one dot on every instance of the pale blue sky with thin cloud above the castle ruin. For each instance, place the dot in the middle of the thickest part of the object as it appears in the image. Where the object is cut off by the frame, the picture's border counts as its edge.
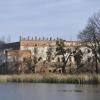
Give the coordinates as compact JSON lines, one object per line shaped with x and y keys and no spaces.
{"x":44,"y":18}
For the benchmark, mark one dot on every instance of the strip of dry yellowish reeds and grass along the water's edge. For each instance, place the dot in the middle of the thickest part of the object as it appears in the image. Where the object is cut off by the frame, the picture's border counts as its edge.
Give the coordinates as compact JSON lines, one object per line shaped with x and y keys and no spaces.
{"x":52,"y":78}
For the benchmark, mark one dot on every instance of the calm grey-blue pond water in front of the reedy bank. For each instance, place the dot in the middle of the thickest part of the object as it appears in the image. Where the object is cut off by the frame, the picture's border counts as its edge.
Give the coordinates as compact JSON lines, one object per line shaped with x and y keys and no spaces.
{"x":39,"y":91}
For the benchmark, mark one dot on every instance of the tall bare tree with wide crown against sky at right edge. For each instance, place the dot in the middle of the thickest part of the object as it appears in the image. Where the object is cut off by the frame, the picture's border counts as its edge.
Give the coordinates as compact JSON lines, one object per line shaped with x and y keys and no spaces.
{"x":90,"y":36}
